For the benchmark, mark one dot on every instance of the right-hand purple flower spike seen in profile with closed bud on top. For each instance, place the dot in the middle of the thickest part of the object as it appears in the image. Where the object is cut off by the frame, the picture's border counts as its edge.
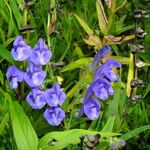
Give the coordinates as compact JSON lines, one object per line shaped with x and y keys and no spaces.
{"x":101,"y":85}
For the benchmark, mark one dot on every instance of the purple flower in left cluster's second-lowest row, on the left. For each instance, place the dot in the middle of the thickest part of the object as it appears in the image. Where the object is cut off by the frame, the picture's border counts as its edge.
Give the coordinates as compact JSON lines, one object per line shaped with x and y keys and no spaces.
{"x":36,"y":99}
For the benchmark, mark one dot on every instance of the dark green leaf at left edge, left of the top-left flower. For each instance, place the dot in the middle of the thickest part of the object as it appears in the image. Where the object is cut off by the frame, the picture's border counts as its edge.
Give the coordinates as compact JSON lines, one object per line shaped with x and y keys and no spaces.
{"x":4,"y":53}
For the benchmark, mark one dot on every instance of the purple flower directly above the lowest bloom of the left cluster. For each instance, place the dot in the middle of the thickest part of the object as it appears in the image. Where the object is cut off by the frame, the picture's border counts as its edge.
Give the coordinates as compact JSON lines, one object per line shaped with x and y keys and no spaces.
{"x":55,"y":96}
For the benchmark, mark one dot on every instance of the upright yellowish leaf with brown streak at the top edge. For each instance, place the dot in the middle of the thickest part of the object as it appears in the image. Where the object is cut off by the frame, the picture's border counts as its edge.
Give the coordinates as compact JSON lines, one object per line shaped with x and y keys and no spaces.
{"x":101,"y":16}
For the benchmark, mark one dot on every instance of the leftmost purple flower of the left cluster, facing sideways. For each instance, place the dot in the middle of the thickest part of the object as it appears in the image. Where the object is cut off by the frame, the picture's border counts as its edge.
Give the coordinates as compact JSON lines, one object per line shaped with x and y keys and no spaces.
{"x":14,"y":75}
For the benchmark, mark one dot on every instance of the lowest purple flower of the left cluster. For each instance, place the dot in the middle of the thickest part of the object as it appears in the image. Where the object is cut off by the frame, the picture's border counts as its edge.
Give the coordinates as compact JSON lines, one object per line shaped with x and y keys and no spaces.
{"x":54,"y":115}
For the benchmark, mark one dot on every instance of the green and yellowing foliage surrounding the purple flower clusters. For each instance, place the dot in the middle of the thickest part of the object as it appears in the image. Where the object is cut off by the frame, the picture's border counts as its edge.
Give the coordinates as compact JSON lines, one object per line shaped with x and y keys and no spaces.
{"x":74,"y":30}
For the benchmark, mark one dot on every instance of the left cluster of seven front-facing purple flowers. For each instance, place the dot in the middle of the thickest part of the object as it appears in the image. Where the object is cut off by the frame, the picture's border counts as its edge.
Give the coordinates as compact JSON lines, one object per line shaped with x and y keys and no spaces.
{"x":34,"y":77}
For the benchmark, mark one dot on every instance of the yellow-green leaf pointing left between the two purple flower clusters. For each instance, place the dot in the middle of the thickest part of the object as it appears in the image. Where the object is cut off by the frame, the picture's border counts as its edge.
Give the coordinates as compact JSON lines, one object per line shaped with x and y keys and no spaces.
{"x":77,"y":64}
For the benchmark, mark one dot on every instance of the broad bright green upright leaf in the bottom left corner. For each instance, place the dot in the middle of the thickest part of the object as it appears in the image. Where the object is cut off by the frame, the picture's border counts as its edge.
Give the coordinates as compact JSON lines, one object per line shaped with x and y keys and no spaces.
{"x":24,"y":134}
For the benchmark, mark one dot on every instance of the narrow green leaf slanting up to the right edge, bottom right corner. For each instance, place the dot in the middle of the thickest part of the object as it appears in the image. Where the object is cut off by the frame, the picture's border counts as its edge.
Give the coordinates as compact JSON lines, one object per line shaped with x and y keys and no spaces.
{"x":135,"y":132}
